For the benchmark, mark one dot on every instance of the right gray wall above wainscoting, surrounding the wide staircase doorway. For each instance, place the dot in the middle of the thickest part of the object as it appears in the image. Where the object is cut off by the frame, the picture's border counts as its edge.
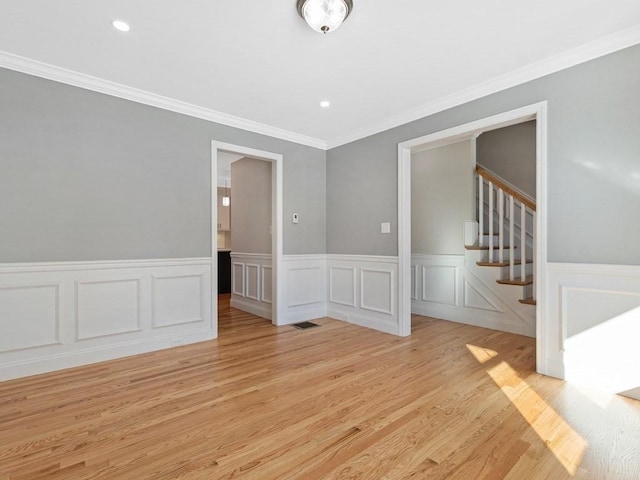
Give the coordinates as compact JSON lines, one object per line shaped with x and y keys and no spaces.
{"x":593,"y":156}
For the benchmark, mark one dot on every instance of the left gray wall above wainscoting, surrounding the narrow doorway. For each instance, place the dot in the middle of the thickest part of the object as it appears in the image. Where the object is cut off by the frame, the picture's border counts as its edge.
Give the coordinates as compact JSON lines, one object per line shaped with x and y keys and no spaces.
{"x":86,"y":176}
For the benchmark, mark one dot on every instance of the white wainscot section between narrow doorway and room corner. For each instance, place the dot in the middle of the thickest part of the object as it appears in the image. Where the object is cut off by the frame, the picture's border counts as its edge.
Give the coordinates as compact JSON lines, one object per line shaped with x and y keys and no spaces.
{"x":306,"y":291}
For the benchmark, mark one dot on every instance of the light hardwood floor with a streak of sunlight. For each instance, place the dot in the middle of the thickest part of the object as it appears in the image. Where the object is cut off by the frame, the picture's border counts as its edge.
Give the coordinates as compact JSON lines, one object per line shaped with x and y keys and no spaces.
{"x":334,"y":402}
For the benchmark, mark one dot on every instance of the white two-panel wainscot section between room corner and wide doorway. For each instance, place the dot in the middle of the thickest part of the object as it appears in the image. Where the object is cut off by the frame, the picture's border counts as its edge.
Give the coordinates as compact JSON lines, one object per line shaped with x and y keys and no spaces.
{"x":363,"y":291}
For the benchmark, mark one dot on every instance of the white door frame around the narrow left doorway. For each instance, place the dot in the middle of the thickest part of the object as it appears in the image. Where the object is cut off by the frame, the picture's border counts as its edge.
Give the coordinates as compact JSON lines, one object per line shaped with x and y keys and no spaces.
{"x":276,"y":220}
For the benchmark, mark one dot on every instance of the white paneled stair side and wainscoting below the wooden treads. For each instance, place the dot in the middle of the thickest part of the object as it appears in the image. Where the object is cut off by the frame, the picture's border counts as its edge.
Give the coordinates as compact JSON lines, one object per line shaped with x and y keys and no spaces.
{"x":452,"y":287}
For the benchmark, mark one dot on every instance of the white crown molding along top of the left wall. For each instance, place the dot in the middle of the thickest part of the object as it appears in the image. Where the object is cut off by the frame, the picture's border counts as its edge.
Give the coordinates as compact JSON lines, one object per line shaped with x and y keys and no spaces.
{"x":95,"y":84}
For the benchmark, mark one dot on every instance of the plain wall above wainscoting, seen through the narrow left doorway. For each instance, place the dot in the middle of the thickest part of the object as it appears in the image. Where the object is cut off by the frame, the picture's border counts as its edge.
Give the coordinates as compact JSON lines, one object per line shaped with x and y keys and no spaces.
{"x":251,"y":206}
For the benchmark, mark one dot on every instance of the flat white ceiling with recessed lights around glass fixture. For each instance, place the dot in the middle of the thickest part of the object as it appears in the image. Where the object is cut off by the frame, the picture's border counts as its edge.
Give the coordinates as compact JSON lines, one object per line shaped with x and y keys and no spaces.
{"x":259,"y":61}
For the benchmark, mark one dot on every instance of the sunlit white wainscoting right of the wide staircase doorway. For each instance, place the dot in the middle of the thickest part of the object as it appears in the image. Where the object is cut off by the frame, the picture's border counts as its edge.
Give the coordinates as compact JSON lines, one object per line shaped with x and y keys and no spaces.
{"x":593,"y":326}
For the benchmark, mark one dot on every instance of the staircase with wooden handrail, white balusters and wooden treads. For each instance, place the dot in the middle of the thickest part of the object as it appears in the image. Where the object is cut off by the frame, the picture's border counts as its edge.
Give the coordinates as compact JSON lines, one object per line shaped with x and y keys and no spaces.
{"x":504,"y":235}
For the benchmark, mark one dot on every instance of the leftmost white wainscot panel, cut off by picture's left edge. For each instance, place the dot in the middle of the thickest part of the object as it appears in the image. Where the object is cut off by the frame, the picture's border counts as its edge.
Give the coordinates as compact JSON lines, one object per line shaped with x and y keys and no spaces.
{"x":29,"y":316}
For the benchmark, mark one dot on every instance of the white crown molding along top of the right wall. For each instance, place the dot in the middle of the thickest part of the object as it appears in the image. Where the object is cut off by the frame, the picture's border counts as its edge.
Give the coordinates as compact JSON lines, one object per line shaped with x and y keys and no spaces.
{"x":598,"y":48}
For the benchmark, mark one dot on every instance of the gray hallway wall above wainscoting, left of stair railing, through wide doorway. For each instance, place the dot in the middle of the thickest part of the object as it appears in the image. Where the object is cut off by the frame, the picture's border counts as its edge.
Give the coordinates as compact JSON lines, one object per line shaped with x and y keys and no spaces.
{"x":442,"y":198}
